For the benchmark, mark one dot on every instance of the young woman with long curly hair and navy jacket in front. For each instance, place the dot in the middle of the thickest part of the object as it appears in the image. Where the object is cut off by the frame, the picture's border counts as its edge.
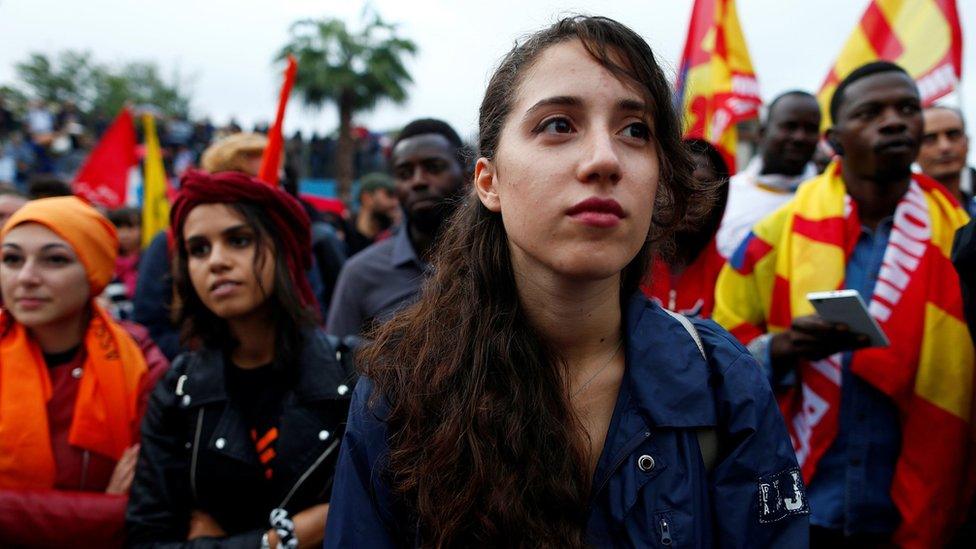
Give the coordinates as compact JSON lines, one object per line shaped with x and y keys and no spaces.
{"x":533,"y":396}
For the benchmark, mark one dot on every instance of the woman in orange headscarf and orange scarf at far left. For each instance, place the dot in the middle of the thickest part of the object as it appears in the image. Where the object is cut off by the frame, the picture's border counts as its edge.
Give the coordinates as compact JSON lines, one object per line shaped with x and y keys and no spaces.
{"x":73,"y":382}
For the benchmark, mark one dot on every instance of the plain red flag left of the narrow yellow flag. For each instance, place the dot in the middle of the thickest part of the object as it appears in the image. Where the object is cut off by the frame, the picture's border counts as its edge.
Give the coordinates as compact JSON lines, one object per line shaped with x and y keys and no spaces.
{"x":104,"y":177}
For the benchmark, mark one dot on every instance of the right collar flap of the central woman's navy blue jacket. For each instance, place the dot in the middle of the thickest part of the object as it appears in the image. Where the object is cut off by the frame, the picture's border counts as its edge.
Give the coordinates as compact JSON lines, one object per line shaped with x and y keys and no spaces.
{"x":668,"y":381}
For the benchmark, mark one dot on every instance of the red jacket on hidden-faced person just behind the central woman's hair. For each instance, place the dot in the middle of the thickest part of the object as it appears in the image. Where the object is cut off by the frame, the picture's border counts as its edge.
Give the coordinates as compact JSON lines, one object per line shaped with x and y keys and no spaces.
{"x":690,"y":293}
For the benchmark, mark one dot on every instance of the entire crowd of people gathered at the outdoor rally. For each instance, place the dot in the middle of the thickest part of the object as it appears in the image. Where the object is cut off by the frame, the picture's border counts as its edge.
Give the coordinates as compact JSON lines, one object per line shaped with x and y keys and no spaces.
{"x":578,"y":331}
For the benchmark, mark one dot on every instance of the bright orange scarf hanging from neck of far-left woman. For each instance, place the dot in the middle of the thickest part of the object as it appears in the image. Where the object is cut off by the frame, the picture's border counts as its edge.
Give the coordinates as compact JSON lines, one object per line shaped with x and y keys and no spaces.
{"x":105,"y":419}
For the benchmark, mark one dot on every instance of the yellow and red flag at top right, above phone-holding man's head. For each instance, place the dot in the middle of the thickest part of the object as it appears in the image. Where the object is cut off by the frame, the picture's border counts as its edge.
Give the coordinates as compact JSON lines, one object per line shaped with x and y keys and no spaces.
{"x":923,"y":36}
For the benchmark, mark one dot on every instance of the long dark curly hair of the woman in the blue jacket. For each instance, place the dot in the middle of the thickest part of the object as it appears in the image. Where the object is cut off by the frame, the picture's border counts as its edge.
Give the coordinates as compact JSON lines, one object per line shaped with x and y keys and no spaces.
{"x":485,"y":447}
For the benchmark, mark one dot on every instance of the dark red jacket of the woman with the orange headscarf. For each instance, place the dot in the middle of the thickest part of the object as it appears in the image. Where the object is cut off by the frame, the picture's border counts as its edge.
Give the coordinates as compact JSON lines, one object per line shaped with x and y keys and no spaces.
{"x":76,"y":512}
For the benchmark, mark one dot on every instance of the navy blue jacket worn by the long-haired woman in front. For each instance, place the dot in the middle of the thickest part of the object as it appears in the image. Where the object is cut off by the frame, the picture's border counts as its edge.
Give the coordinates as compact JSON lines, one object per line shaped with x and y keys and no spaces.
{"x":652,"y":487}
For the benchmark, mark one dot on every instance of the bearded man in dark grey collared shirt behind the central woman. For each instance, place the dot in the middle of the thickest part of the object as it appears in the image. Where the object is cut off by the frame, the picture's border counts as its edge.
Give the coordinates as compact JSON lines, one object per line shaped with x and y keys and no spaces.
{"x":428,"y":170}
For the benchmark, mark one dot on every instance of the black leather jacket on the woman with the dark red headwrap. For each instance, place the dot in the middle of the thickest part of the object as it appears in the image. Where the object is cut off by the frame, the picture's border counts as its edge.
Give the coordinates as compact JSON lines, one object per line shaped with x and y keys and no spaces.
{"x":197,"y":453}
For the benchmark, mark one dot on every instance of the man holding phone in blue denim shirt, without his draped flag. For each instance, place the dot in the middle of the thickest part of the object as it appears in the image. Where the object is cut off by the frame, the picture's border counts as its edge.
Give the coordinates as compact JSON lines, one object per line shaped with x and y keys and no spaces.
{"x":877,"y":131}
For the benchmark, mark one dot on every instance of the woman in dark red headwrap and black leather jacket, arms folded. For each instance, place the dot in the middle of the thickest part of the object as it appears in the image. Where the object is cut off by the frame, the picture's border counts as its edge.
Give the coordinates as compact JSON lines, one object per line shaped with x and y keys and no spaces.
{"x":240,"y":437}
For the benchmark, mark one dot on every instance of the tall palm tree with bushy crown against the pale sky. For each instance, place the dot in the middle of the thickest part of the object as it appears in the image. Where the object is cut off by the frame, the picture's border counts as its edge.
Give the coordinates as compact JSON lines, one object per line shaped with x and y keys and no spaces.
{"x":352,"y":70}
